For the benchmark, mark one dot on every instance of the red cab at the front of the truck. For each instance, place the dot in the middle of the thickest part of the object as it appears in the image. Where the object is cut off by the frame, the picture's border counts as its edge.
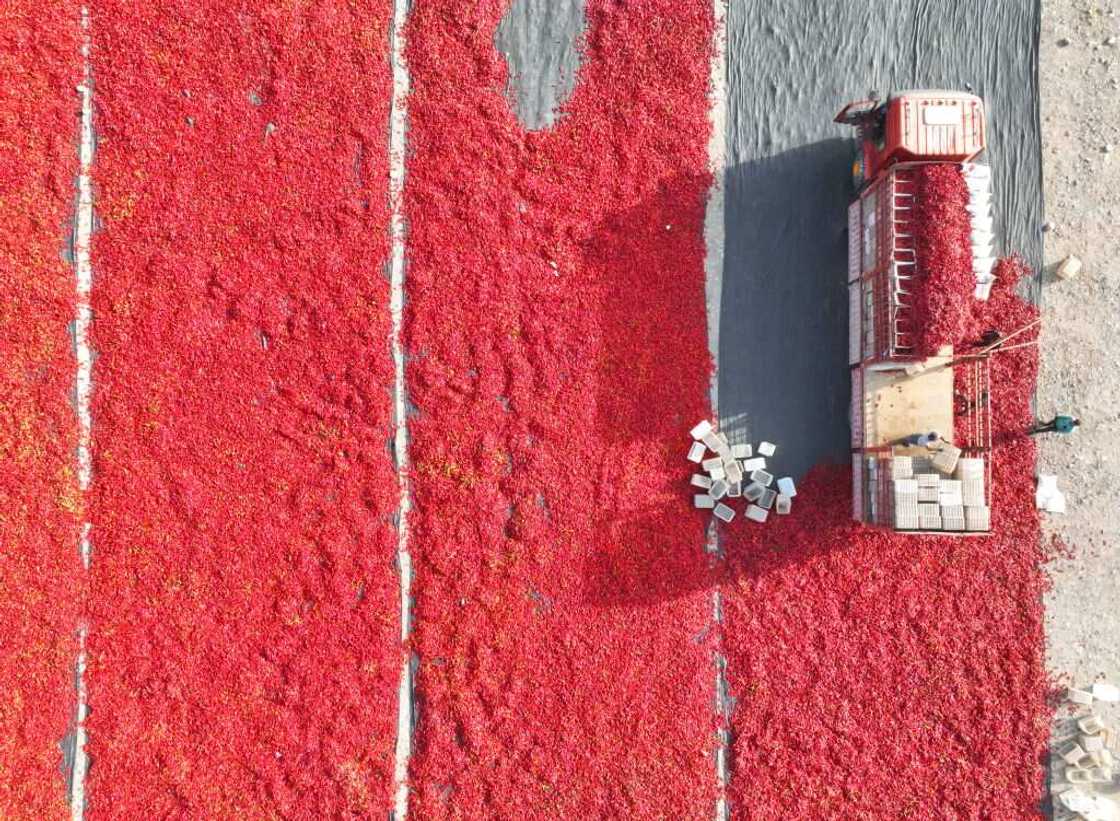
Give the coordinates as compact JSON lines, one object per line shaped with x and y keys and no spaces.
{"x":914,"y":126}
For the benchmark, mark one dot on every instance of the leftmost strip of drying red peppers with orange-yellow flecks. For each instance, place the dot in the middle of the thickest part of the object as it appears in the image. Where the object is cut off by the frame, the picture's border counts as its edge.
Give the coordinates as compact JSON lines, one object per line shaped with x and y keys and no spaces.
{"x":41,"y":507}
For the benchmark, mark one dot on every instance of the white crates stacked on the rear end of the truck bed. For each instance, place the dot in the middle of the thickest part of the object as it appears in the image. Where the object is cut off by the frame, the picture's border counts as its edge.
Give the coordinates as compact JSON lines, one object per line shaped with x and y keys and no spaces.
{"x":926,"y":500}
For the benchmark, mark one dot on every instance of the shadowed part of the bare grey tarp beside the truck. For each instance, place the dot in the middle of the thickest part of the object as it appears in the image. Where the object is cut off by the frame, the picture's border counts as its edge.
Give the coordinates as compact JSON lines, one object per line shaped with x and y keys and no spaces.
{"x":783,"y":324}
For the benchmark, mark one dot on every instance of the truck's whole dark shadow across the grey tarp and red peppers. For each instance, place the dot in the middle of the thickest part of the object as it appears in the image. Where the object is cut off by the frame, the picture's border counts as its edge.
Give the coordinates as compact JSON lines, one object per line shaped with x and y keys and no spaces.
{"x":783,"y":368}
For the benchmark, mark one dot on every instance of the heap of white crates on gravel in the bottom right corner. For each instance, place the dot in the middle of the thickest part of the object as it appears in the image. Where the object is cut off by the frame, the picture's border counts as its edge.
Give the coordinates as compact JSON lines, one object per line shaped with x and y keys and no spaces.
{"x":1090,"y":758}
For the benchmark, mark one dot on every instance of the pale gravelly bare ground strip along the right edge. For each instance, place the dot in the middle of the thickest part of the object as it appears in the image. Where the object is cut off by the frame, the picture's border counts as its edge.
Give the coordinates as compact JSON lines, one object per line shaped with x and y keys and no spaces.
{"x":1080,"y":74}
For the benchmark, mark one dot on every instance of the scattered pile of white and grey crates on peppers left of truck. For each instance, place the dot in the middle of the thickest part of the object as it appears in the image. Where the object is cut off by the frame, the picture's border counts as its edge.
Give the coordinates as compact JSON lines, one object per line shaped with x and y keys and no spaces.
{"x":736,"y":472}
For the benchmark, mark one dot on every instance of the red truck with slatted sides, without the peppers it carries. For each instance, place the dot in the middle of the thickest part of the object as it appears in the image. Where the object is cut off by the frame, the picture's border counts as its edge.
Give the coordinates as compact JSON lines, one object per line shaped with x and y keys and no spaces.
{"x":895,"y":393}
